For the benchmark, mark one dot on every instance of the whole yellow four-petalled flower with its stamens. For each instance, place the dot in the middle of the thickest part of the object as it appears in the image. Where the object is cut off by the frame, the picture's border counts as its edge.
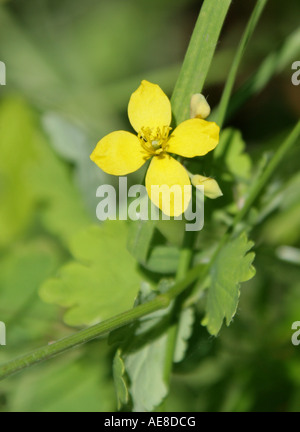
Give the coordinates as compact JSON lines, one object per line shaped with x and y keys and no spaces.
{"x":120,"y":153}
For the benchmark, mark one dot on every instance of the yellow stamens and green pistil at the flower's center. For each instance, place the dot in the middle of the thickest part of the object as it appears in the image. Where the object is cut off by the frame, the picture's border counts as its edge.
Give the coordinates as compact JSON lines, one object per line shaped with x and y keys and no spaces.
{"x":154,"y":141}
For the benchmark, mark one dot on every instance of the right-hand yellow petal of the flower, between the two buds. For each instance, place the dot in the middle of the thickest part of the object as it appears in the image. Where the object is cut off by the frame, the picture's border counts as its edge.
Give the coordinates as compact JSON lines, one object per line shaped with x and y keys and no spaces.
{"x":194,"y":137}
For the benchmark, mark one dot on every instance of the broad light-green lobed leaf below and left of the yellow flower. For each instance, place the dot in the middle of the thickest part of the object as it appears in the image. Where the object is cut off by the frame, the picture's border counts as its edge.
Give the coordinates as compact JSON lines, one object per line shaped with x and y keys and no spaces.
{"x":101,"y":282}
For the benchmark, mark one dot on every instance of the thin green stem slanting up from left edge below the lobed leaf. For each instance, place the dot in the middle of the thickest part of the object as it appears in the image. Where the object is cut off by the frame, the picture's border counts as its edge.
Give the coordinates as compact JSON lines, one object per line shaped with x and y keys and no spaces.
{"x":84,"y":336}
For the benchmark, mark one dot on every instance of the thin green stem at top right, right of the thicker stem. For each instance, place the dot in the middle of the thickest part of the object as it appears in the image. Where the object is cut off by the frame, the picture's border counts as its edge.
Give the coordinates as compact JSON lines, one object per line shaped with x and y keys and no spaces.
{"x":260,"y":5}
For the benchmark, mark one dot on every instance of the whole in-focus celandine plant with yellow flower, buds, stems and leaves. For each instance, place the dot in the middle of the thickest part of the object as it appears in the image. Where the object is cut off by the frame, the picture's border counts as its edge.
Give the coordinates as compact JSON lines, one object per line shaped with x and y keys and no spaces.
{"x":149,"y":298}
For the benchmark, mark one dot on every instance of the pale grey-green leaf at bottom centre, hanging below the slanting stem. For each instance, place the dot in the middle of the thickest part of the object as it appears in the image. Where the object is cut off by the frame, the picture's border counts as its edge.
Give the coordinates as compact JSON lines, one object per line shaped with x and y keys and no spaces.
{"x":143,"y":352}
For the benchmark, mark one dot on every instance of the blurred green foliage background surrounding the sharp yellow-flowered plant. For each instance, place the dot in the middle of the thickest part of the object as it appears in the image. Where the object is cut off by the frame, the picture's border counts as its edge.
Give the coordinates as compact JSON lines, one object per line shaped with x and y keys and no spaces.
{"x":71,"y":67}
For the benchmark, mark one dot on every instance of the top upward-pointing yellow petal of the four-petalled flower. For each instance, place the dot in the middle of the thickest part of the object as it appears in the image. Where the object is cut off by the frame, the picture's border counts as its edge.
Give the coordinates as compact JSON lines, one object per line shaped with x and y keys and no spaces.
{"x":149,"y":107}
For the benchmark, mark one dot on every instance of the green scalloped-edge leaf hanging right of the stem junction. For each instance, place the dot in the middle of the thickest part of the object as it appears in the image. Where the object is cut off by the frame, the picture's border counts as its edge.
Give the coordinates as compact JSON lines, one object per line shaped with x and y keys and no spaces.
{"x":232,"y":266}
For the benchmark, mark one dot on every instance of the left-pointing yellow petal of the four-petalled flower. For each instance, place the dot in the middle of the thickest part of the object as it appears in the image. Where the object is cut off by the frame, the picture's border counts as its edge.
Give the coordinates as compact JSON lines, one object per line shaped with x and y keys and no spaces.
{"x":119,"y":153}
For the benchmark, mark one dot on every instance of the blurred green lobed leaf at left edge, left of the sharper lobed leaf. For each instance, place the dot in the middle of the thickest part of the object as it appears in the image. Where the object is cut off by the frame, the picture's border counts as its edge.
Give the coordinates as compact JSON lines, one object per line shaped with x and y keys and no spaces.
{"x":22,"y":271}
